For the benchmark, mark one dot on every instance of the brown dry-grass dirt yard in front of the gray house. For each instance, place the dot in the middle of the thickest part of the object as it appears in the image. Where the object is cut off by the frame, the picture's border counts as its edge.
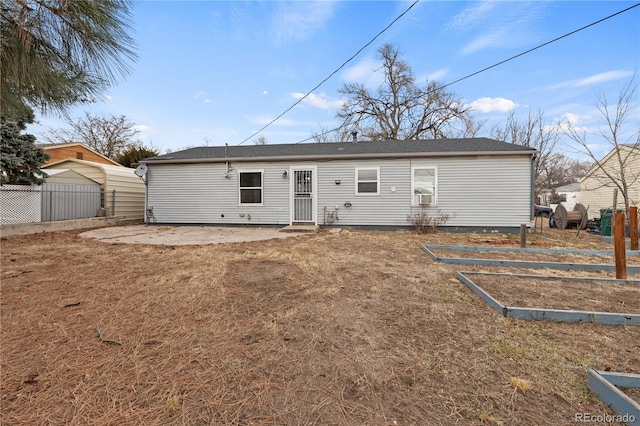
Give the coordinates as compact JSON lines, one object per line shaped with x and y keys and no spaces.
{"x":349,"y":328}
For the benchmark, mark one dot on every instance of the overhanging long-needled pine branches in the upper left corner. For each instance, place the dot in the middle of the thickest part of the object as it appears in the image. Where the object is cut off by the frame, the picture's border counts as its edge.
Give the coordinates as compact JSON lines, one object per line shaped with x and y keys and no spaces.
{"x":55,"y":53}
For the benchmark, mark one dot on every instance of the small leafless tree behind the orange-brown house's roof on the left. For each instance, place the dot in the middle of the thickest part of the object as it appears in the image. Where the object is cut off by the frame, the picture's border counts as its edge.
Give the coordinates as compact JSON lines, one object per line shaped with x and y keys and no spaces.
{"x":109,"y":136}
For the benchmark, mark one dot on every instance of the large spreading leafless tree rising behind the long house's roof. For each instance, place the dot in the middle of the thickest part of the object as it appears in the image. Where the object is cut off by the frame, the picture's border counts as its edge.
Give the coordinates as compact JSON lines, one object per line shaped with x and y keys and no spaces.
{"x":399,"y":109}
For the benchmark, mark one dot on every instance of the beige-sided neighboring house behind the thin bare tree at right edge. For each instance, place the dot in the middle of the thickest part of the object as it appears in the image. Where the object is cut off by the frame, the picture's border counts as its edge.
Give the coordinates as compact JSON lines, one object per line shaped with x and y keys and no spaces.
{"x":597,"y":187}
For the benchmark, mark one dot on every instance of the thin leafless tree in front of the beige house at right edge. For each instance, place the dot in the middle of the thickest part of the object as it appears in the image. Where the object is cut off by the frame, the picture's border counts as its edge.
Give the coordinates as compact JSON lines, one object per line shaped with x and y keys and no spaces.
{"x":622,"y":133}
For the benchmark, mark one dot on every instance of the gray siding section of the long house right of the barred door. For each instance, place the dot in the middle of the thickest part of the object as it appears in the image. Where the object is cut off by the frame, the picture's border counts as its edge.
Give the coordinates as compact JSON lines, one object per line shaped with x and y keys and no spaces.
{"x":473,"y":191}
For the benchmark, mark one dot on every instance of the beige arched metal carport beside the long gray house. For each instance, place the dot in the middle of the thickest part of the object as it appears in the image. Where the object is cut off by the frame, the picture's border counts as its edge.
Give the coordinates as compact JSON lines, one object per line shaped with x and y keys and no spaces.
{"x":122,"y":190}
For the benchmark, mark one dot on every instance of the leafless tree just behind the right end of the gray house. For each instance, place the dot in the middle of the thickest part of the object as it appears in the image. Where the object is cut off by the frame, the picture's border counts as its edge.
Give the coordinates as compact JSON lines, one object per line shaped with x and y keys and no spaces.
{"x":535,"y":133}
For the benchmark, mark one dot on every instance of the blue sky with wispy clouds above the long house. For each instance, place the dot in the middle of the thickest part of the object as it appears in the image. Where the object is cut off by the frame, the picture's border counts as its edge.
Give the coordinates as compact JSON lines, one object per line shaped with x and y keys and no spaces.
{"x":213,"y":72}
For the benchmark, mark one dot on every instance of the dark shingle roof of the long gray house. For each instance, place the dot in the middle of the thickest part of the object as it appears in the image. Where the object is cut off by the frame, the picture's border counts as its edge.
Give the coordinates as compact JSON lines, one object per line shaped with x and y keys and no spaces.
{"x":343,"y":150}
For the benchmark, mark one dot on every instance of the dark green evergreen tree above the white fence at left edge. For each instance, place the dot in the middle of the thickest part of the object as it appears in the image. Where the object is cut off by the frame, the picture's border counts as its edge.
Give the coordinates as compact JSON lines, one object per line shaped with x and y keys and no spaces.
{"x":20,"y":158}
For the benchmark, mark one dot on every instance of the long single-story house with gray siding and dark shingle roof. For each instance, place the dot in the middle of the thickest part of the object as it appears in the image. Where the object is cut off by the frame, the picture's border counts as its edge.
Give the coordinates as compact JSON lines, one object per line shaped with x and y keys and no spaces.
{"x":478,"y":183}
